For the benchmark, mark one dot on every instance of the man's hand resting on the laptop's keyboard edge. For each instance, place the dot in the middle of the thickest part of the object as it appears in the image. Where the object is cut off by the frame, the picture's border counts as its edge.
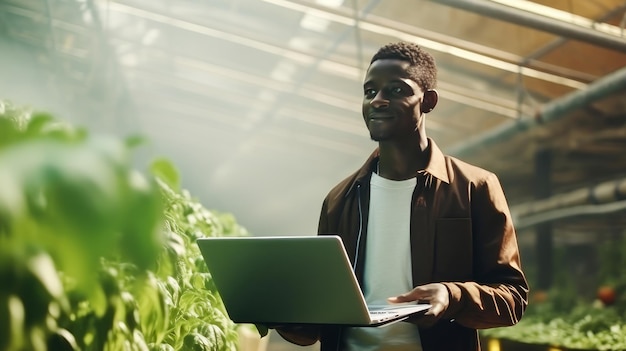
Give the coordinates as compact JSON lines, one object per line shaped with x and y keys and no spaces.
{"x":435,"y":294}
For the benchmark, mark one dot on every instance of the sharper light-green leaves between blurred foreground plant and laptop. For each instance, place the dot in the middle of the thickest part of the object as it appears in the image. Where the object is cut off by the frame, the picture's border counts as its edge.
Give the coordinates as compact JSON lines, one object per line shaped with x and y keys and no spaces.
{"x":198,"y":320}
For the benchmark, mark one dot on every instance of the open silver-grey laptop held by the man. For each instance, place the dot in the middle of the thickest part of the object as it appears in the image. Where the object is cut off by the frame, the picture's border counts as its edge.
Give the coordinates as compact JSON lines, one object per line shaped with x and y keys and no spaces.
{"x":292,"y":280}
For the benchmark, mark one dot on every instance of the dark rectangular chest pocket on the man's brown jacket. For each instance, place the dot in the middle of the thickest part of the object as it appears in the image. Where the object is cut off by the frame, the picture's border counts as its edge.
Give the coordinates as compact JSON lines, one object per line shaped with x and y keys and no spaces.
{"x":453,"y":249}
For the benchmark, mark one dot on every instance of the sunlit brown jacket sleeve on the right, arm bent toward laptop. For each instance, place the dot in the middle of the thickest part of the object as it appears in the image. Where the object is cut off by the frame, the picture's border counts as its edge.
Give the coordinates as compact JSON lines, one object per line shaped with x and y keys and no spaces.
{"x":498,"y":296}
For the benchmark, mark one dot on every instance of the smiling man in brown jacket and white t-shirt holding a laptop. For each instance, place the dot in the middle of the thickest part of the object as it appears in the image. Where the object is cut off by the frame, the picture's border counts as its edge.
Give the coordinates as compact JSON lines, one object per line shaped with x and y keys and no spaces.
{"x":419,"y":225}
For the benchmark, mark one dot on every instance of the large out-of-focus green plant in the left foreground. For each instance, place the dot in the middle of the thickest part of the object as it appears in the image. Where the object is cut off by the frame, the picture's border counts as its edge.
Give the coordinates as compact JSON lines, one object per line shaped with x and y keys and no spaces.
{"x":67,"y":201}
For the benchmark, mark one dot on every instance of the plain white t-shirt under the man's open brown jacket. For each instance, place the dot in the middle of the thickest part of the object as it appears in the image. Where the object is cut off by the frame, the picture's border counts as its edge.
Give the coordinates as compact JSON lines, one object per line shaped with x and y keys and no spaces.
{"x":387,"y":265}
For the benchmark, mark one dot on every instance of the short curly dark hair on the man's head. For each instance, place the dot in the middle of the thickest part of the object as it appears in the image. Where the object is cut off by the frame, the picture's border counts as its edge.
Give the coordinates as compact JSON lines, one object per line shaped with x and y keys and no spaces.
{"x":422,"y":69}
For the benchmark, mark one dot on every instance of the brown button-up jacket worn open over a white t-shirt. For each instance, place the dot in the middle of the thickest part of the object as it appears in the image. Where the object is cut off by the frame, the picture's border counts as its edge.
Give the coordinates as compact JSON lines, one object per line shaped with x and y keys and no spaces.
{"x":461,"y":235}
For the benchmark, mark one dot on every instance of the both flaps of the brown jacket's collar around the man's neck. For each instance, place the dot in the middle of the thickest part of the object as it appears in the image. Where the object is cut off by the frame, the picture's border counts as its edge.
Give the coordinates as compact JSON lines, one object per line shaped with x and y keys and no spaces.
{"x":436,"y":166}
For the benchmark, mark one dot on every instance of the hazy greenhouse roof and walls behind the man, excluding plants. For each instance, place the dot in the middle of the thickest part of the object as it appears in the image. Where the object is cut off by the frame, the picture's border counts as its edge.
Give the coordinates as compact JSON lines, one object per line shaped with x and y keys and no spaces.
{"x":258,"y":101}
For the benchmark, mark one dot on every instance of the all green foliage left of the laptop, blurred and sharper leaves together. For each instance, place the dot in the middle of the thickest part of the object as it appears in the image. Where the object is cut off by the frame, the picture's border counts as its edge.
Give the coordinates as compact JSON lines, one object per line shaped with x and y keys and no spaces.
{"x":95,"y":255}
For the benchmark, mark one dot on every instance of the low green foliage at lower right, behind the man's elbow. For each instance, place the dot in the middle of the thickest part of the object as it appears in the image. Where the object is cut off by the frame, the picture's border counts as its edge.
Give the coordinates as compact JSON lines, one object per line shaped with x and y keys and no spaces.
{"x":564,"y":319}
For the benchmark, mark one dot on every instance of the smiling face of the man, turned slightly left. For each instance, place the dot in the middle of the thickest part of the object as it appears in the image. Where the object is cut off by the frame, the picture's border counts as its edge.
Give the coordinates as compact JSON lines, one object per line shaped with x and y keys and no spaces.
{"x":391,"y":101}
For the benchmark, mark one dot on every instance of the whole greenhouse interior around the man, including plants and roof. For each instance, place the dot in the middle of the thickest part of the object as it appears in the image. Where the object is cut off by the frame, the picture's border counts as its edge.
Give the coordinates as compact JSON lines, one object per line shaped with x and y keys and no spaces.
{"x":131,"y":128}
